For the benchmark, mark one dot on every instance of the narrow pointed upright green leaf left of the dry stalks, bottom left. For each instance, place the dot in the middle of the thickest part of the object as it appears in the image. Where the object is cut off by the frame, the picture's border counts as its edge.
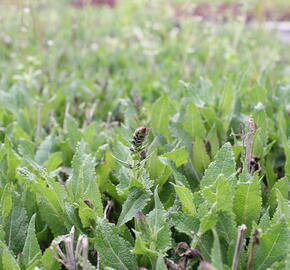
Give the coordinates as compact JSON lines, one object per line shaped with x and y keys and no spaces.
{"x":31,"y":251}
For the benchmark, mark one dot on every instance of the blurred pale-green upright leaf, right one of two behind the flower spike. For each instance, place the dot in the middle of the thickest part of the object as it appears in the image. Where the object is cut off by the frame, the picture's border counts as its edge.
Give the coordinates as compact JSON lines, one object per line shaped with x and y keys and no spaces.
{"x":193,"y":123}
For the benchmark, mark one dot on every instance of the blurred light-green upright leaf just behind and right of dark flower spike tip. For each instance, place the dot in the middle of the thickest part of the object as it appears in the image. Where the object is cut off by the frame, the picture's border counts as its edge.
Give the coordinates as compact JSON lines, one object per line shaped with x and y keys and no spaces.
{"x":160,"y":116}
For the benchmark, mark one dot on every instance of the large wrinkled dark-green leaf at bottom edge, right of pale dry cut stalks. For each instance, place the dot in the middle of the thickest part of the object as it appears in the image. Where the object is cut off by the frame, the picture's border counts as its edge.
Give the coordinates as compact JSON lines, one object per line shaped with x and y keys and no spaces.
{"x":114,"y":251}
